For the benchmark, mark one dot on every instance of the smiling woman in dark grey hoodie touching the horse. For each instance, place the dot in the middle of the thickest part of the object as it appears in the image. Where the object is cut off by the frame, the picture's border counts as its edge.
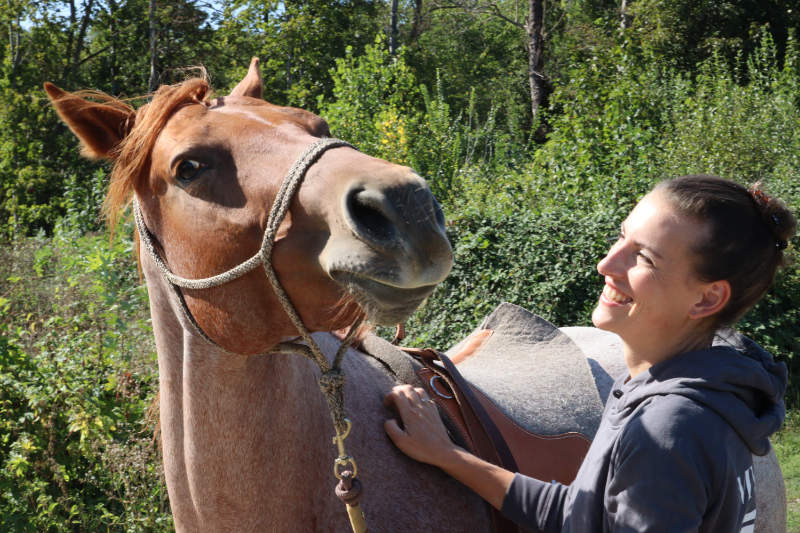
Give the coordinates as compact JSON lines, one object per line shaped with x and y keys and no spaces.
{"x":673,"y":450}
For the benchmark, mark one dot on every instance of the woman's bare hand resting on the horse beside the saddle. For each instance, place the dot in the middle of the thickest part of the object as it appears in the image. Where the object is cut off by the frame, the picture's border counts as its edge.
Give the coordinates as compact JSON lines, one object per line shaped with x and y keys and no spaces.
{"x":422,"y":435}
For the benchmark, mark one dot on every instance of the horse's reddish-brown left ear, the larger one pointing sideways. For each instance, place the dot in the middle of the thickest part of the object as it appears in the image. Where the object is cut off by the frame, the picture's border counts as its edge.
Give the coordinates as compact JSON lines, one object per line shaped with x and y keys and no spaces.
{"x":99,"y":126}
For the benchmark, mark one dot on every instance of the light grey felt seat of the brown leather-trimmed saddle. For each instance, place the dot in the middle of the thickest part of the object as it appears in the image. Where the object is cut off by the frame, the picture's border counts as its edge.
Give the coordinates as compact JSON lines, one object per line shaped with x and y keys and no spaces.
{"x":534,"y":373}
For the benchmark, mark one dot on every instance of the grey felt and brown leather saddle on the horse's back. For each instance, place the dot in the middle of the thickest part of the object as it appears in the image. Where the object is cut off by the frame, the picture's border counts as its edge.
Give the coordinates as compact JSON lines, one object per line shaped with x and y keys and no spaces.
{"x":499,"y":403}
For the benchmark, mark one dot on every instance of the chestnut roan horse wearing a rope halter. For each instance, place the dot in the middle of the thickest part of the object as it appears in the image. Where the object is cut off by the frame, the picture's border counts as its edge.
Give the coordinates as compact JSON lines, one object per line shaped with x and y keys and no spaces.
{"x":245,"y":433}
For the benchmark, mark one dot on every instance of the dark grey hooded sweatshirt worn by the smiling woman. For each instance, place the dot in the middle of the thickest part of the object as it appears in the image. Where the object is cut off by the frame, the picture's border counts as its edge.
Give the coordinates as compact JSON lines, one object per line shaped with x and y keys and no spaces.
{"x":673,"y":450}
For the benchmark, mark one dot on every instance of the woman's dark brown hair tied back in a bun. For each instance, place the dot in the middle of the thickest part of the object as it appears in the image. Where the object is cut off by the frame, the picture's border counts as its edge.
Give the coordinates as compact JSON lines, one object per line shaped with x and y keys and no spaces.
{"x":746,"y":234}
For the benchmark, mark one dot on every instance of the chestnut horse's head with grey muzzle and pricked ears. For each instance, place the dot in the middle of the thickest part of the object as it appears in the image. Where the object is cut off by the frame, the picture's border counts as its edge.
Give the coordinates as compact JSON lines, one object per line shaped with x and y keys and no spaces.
{"x":362,"y":235}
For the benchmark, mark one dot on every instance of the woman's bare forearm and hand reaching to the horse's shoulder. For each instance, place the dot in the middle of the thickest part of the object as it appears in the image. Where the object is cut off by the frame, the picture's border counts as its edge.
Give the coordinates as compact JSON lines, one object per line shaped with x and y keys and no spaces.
{"x":423,"y":437}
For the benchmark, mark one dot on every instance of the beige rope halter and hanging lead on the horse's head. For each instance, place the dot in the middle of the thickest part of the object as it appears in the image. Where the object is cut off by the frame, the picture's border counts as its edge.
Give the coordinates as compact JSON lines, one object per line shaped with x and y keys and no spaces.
{"x":331,"y":381}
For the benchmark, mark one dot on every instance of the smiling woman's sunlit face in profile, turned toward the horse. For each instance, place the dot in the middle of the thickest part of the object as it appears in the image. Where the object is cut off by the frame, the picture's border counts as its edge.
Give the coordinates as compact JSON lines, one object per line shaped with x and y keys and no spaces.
{"x":650,"y":287}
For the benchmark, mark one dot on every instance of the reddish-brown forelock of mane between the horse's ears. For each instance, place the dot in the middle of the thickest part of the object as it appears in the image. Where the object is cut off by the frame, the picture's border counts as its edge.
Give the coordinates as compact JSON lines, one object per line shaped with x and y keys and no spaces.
{"x":132,"y":155}
